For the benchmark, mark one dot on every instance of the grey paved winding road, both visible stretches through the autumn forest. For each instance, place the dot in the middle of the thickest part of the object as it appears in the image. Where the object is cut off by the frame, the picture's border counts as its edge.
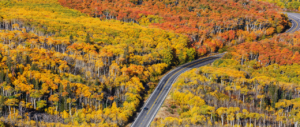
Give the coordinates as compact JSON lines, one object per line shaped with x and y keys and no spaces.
{"x":160,"y":93}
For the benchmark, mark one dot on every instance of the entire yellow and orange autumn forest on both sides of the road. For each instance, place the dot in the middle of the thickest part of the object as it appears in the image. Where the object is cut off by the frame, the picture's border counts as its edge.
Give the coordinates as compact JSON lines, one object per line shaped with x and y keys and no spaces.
{"x":94,"y":62}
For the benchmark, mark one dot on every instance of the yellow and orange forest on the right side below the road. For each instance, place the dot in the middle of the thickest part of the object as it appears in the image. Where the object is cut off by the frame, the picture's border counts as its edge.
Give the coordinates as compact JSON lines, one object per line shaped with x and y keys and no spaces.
{"x":255,"y":84}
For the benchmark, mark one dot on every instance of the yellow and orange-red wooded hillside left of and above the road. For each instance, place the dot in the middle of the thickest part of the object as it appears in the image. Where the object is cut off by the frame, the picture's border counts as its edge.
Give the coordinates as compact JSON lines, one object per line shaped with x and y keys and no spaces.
{"x":62,"y":67}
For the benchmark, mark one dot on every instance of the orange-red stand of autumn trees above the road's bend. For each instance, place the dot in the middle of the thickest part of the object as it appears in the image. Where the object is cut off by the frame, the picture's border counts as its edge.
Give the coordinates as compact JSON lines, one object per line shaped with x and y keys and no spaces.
{"x":209,"y":24}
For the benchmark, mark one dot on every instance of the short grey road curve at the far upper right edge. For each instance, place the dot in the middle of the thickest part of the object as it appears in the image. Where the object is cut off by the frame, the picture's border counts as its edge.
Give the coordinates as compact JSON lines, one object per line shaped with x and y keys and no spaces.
{"x":295,"y":19}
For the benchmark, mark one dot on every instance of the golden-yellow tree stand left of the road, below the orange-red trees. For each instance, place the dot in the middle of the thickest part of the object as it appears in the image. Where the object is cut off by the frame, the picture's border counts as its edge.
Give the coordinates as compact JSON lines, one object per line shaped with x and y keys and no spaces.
{"x":78,"y":69}
